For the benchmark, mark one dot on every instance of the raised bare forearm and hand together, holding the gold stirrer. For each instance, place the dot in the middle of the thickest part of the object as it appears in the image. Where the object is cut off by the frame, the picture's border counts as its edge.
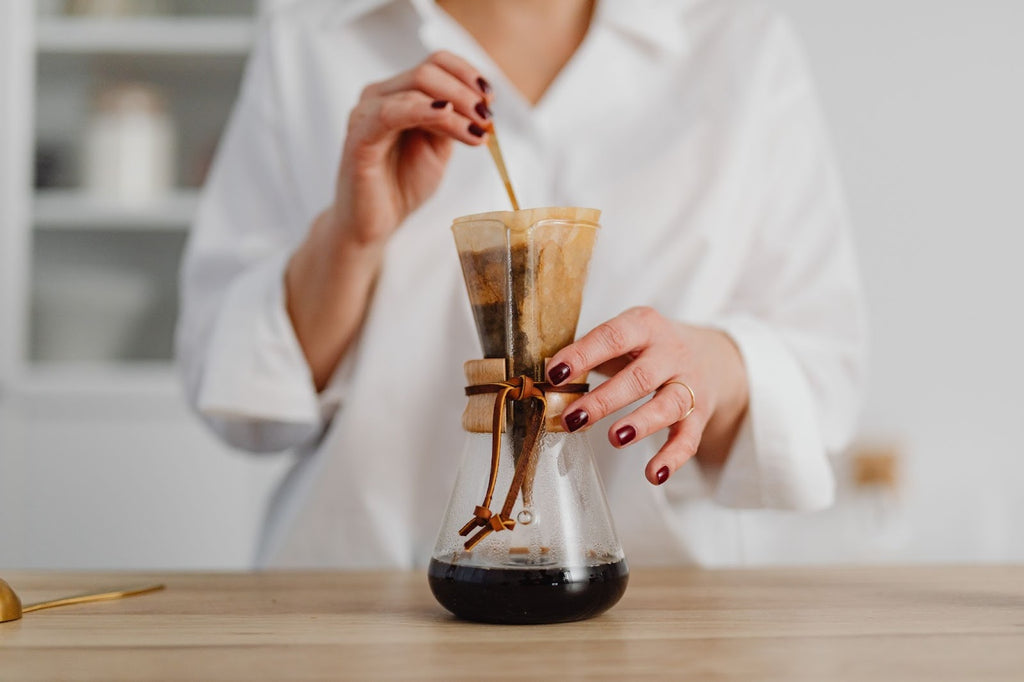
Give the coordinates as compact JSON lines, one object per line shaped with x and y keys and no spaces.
{"x":399,"y":144}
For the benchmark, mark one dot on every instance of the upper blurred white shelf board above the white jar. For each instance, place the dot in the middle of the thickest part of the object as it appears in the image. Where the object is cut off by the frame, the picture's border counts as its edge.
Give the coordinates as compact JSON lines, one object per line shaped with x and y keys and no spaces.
{"x":150,"y":35}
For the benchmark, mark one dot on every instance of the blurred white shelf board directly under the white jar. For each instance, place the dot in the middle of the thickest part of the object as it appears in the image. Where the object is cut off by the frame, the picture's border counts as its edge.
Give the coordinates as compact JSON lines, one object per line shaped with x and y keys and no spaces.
{"x":69,"y":209}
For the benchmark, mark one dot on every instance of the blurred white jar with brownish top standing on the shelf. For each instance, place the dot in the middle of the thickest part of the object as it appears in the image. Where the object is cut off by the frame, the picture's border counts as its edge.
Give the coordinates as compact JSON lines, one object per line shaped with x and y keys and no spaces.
{"x":130,"y":156}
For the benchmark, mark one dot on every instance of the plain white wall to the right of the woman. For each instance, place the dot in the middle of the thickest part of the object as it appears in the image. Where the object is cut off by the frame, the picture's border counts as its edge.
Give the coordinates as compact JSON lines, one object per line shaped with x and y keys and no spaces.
{"x":926,"y":102}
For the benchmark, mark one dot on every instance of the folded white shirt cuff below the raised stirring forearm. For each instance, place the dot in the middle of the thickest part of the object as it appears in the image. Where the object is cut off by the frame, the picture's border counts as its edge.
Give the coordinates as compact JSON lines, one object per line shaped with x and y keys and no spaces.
{"x":254,"y":367}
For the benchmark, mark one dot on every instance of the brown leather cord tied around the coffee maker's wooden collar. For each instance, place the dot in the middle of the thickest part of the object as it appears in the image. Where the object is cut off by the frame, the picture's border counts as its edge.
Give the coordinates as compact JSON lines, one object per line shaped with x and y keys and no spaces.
{"x":521,"y":390}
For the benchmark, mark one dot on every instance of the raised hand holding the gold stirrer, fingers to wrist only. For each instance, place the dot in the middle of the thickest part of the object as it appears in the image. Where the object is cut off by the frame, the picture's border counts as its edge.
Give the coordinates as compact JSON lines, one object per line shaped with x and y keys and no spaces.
{"x":400,"y":141}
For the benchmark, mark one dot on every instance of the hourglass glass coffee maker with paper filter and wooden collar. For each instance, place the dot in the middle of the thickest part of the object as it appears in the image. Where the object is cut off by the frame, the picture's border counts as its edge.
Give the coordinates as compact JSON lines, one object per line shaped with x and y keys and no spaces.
{"x":528,"y":536}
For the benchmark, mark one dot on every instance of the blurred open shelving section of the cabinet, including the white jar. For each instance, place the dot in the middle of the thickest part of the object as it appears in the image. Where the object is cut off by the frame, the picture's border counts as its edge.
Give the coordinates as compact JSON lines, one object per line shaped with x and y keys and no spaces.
{"x":103,"y":265}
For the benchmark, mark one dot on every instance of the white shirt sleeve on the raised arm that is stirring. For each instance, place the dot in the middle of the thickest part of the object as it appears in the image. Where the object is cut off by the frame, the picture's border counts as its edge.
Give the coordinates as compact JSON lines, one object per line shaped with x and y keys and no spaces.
{"x":243,"y":368}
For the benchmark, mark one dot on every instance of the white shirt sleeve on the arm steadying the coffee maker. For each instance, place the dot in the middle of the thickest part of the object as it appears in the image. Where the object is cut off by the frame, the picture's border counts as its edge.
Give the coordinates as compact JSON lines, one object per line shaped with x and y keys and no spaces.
{"x":797,"y":314}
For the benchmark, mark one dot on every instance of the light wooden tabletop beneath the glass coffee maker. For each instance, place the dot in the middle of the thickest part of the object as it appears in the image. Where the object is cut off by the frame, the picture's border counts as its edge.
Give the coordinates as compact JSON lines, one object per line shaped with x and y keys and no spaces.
{"x":808,"y":624}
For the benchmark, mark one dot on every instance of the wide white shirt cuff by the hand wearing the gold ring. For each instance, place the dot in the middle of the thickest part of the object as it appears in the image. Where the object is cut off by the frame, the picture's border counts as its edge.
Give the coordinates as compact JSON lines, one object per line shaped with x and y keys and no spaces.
{"x":780,"y":459}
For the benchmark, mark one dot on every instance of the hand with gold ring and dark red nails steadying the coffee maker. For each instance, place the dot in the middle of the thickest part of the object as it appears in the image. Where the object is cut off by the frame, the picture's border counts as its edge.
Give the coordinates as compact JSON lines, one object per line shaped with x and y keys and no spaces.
{"x":644,"y":353}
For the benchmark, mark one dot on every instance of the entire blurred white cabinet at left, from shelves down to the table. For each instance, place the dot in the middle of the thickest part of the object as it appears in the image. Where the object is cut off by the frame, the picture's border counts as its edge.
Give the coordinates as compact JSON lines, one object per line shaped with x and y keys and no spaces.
{"x":101,"y":463}
